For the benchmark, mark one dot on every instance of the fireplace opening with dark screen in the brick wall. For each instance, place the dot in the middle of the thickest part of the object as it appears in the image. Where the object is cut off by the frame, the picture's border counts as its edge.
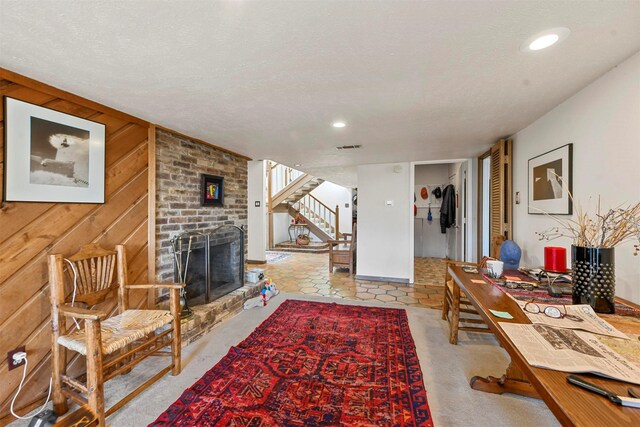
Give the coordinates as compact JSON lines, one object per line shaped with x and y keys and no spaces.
{"x":211,"y":264}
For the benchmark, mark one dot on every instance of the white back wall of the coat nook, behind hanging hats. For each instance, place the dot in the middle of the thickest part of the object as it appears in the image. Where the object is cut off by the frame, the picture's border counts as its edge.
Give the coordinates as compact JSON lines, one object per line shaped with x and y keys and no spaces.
{"x":428,"y":239}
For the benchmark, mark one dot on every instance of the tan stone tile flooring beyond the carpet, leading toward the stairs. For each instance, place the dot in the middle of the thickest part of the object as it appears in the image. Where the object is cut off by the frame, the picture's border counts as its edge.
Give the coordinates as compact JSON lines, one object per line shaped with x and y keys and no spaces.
{"x":309,"y":274}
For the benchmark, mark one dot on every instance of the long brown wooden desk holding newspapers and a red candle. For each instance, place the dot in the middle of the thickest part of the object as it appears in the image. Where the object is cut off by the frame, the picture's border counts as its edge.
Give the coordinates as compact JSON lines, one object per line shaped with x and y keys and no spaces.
{"x":572,"y":405}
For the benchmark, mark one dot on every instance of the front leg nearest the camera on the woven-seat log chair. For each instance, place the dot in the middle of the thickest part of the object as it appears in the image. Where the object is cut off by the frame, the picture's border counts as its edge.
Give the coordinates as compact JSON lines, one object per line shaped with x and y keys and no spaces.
{"x":95,"y":383}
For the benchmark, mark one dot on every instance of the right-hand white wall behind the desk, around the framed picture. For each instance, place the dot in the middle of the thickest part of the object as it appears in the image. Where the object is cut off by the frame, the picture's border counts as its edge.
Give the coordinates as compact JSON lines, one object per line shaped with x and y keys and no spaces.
{"x":603,"y":123}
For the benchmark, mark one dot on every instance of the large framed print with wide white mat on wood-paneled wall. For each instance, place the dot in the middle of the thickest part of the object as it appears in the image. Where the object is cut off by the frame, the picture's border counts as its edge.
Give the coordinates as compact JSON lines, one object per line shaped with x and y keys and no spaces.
{"x":51,"y":156}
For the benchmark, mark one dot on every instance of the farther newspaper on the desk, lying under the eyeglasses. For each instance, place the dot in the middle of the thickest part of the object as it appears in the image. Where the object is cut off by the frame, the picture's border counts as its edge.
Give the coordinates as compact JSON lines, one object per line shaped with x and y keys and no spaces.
{"x":580,"y":316}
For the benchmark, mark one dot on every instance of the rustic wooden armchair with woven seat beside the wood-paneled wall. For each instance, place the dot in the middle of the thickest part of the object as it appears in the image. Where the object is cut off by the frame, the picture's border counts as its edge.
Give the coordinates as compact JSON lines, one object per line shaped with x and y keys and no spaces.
{"x":112,"y":342}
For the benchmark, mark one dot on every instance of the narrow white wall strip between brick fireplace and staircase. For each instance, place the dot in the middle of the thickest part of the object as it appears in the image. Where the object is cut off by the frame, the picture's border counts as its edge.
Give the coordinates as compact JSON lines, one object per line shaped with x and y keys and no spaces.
{"x":257,"y":216}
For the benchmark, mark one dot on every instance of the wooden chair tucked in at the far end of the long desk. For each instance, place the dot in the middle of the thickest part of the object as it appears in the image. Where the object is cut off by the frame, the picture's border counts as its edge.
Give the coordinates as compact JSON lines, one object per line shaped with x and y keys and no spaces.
{"x":464,"y":316}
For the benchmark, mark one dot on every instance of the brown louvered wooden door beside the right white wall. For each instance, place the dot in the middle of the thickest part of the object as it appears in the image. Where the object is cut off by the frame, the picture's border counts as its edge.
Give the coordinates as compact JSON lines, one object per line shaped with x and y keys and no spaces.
{"x":500,"y":207}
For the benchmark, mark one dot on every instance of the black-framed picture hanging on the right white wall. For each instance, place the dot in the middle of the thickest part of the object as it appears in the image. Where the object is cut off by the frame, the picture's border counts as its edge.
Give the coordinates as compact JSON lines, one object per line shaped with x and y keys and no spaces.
{"x":550,"y":182}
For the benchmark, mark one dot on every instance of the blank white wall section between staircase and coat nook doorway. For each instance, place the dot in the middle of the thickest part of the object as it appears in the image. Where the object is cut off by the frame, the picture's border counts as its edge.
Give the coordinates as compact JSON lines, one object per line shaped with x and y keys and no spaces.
{"x":384,"y":231}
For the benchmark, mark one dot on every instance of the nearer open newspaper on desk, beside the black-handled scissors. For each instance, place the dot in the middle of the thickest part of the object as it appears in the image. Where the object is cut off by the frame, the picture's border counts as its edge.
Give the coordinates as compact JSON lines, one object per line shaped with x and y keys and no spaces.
{"x":572,"y":350}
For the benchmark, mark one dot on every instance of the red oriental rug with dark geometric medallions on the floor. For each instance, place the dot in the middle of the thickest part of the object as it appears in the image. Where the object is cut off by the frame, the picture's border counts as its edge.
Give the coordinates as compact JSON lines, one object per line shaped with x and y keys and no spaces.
{"x":312,"y":364}
